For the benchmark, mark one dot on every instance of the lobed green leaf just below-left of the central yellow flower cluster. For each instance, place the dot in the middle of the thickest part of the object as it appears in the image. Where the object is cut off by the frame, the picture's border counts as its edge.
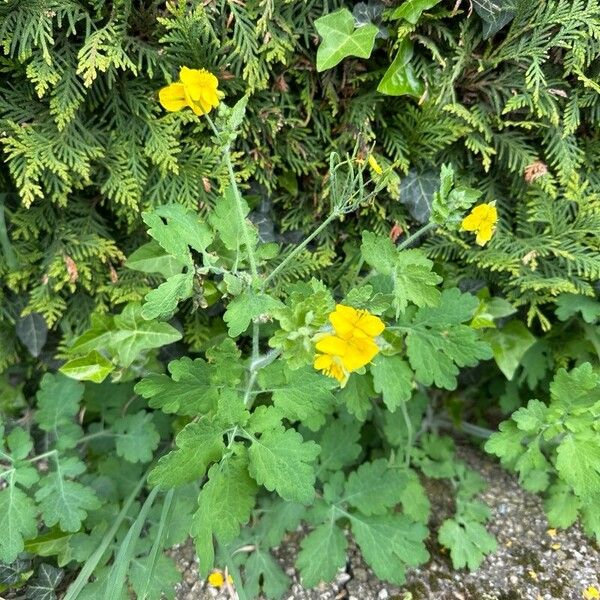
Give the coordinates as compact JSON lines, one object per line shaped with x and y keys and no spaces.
{"x":302,"y":395}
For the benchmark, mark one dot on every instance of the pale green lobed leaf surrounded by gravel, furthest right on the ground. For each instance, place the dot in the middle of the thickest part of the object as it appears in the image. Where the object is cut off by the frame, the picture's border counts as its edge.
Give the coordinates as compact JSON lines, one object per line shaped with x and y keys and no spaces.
{"x":469,"y":542}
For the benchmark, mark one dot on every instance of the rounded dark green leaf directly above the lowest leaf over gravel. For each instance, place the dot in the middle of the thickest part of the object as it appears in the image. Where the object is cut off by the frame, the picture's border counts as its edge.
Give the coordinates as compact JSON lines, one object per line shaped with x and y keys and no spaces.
{"x":374,"y":487}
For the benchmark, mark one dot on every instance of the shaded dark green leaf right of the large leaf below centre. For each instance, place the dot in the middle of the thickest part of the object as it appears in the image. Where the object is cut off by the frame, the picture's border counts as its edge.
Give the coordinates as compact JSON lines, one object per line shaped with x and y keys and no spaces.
{"x":339,"y":445}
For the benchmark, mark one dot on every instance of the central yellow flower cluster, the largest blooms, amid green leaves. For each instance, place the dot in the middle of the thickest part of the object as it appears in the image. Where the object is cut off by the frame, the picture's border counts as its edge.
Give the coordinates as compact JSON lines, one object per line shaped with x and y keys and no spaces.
{"x":351,"y":346}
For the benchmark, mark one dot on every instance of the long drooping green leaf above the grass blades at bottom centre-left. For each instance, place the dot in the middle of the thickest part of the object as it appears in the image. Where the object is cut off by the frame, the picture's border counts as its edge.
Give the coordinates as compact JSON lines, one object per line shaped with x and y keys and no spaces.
{"x":225,"y":503}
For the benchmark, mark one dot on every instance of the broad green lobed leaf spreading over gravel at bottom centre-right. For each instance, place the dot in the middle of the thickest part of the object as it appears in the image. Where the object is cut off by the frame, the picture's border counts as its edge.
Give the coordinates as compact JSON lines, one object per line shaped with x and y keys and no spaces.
{"x":389,"y":543}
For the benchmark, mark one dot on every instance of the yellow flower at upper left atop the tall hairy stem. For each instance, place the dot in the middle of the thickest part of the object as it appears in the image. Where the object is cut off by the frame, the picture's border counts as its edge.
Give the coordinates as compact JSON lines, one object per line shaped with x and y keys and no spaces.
{"x":196,"y":88}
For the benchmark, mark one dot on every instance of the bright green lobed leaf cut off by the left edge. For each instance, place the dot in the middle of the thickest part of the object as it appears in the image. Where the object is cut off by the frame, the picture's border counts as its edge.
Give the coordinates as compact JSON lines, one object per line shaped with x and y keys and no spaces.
{"x":18,"y":521}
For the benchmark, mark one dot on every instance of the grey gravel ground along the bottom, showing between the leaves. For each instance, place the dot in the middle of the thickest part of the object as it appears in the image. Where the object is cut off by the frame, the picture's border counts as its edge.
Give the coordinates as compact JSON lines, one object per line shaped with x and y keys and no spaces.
{"x":531,"y":563}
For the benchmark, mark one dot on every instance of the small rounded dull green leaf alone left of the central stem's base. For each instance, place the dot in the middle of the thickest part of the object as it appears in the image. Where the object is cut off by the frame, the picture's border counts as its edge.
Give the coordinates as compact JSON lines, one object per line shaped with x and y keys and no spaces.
{"x":136,"y":437}
